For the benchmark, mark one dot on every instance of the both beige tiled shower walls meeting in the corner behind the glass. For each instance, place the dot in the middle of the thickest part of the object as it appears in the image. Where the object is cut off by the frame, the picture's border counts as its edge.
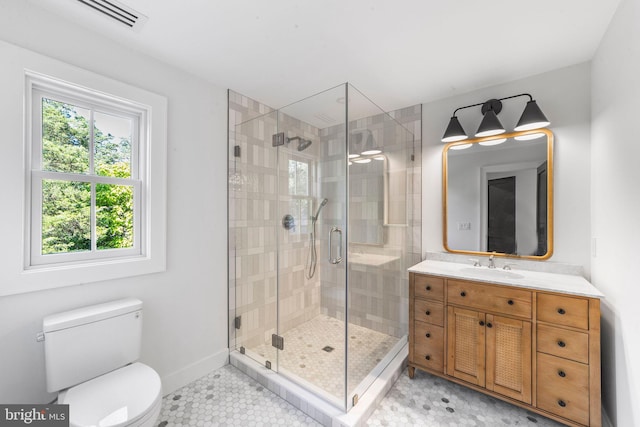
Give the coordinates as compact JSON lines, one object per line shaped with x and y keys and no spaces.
{"x":378,"y":295}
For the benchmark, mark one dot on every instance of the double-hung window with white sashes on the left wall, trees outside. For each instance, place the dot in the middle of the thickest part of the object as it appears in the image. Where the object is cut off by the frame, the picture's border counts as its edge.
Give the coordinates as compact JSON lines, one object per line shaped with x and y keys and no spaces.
{"x":88,"y":186}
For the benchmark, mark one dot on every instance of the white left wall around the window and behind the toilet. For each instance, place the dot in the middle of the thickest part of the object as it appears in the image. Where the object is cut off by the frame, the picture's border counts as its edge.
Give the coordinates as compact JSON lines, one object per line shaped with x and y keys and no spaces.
{"x":185,"y":332}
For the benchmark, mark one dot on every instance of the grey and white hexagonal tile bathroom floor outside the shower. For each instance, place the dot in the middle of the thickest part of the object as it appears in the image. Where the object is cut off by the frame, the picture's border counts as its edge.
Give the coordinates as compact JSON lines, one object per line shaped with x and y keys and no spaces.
{"x":227,"y":397}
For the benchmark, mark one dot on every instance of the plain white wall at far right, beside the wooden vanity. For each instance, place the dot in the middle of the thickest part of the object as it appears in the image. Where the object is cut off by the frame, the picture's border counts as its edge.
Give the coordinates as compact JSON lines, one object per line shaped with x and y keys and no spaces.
{"x":615,"y":209}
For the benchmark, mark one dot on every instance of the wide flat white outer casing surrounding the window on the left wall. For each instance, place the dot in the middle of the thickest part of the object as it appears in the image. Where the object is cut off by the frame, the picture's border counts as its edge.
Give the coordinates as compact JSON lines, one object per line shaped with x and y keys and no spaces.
{"x":14,"y":277}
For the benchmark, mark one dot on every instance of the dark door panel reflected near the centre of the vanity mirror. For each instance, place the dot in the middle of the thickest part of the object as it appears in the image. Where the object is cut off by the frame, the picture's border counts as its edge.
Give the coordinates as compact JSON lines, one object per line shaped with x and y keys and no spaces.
{"x":501,"y":227}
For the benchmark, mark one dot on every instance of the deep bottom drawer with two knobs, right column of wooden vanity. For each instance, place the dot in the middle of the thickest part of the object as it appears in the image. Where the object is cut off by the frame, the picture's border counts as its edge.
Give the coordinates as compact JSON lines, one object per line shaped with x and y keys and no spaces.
{"x":563,"y":388}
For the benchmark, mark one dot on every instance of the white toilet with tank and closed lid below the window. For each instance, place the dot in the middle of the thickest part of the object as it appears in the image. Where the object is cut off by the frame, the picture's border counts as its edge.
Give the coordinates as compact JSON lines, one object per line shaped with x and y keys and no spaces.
{"x":90,"y":356}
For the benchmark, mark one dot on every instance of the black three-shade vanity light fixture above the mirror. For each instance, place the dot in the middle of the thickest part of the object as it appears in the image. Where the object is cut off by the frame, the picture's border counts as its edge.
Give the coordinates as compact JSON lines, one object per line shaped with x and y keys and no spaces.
{"x":532,"y":118}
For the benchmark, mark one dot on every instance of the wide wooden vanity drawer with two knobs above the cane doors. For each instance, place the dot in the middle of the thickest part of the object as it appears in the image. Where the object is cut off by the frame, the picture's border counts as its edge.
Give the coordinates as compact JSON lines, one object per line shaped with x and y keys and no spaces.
{"x":496,"y":299}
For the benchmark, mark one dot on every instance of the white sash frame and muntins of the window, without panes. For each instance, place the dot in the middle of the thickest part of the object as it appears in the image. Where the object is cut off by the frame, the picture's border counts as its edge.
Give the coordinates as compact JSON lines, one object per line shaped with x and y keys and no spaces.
{"x":38,"y":89}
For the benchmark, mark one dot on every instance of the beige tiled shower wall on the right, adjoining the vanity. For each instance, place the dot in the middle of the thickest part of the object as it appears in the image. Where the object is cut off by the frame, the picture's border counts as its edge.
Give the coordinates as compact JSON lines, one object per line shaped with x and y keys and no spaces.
{"x":378,"y":295}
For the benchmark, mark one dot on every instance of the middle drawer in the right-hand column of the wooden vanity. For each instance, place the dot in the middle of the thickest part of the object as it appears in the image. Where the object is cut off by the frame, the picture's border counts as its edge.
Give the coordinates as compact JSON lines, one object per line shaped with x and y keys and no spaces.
{"x":560,"y":342}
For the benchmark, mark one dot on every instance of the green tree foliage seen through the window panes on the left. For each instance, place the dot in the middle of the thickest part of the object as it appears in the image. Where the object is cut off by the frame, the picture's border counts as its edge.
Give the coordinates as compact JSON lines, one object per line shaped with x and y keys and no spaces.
{"x":67,"y":145}
